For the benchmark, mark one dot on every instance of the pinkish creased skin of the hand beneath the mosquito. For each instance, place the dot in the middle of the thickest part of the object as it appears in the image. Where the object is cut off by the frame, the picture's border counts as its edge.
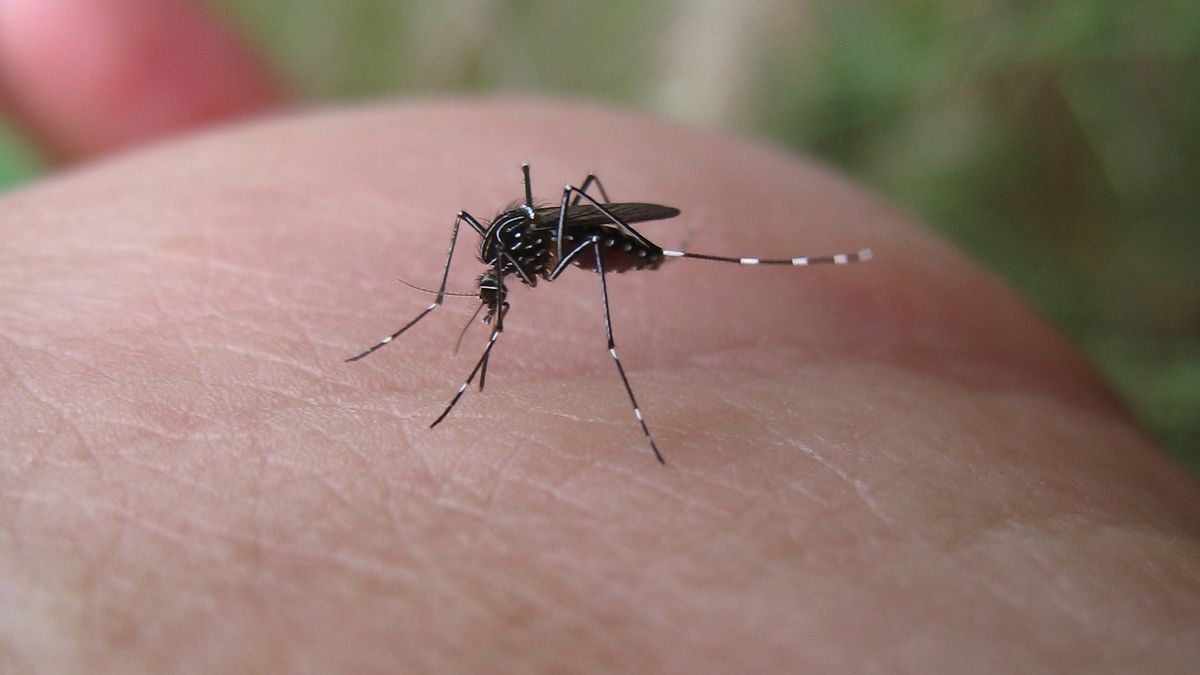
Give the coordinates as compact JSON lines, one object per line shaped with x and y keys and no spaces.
{"x":892,"y":467}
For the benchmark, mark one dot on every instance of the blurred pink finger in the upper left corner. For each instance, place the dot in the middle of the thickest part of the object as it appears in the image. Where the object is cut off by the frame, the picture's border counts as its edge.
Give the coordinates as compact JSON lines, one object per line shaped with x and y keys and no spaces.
{"x":87,"y":77}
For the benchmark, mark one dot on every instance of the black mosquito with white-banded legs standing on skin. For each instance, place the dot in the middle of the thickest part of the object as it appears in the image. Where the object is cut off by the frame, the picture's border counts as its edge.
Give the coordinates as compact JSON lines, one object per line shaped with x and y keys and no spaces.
{"x":533,"y":243}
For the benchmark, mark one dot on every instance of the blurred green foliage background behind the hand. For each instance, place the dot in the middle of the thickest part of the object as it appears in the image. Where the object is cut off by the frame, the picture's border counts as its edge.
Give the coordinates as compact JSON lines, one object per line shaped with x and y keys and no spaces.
{"x":1055,"y":142}
